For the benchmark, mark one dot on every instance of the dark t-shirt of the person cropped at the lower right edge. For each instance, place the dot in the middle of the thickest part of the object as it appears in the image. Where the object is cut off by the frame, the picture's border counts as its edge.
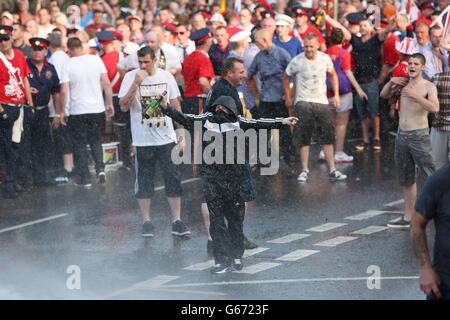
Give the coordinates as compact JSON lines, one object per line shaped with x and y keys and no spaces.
{"x":433,"y":203}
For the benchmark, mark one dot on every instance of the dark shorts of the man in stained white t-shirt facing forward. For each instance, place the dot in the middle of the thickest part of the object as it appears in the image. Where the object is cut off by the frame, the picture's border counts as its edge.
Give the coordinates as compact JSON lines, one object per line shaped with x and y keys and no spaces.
{"x":313,"y":116}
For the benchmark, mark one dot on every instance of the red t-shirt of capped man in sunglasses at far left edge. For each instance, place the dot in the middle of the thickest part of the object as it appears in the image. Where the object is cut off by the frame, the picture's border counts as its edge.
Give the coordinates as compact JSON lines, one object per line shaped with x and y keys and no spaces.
{"x":10,"y":91}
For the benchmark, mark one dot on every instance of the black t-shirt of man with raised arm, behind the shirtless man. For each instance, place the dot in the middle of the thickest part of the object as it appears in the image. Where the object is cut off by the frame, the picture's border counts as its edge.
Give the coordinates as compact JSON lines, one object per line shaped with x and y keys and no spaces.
{"x":367,"y":57}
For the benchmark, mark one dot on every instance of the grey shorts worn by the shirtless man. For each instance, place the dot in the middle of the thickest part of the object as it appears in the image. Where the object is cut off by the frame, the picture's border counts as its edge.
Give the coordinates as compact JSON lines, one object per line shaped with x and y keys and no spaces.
{"x":413,"y":148}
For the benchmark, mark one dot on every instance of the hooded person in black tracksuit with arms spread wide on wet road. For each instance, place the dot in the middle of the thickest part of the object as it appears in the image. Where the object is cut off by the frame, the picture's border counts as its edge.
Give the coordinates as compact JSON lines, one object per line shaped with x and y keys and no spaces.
{"x":223,"y":180}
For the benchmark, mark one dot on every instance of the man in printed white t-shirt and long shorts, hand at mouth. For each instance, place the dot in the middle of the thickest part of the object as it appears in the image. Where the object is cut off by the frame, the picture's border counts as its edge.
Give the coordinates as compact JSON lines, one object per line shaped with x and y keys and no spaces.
{"x":153,"y":136}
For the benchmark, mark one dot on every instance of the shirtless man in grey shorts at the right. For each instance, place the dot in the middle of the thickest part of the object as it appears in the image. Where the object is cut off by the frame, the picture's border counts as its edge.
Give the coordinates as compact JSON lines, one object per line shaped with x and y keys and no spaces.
{"x":412,"y":145}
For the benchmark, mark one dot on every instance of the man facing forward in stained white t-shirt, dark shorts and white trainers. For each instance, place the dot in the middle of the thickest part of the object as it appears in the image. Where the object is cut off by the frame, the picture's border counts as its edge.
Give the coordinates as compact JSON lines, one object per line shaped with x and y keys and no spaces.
{"x":310,"y":70}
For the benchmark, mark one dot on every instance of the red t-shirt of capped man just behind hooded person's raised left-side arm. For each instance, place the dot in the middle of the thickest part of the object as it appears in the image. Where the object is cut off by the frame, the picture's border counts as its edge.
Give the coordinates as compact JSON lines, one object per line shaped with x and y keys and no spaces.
{"x":195,"y":66}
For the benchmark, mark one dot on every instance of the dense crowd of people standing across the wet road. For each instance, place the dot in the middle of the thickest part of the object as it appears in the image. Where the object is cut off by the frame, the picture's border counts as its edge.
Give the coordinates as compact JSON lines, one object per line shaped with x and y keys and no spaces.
{"x":67,"y":70}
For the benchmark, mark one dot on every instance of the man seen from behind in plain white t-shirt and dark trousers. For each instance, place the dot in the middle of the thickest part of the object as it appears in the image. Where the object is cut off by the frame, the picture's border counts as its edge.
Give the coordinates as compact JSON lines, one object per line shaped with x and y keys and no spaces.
{"x":85,"y":77}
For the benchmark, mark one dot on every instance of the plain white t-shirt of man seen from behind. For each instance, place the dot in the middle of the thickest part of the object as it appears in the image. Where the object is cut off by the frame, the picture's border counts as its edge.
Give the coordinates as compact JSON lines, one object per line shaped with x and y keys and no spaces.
{"x":83,"y":74}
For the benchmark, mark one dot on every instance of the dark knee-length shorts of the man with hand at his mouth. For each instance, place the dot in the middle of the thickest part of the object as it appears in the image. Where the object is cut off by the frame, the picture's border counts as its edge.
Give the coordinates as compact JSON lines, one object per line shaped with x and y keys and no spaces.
{"x":146,"y":159}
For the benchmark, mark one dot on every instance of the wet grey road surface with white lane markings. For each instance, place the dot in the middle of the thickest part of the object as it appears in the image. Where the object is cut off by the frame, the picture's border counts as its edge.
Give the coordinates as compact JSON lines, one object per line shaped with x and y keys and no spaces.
{"x":318,"y":240}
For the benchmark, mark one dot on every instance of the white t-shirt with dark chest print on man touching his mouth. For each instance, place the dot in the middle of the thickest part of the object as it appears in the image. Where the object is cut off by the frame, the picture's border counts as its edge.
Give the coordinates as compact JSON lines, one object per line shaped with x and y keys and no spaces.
{"x":142,"y":134}
